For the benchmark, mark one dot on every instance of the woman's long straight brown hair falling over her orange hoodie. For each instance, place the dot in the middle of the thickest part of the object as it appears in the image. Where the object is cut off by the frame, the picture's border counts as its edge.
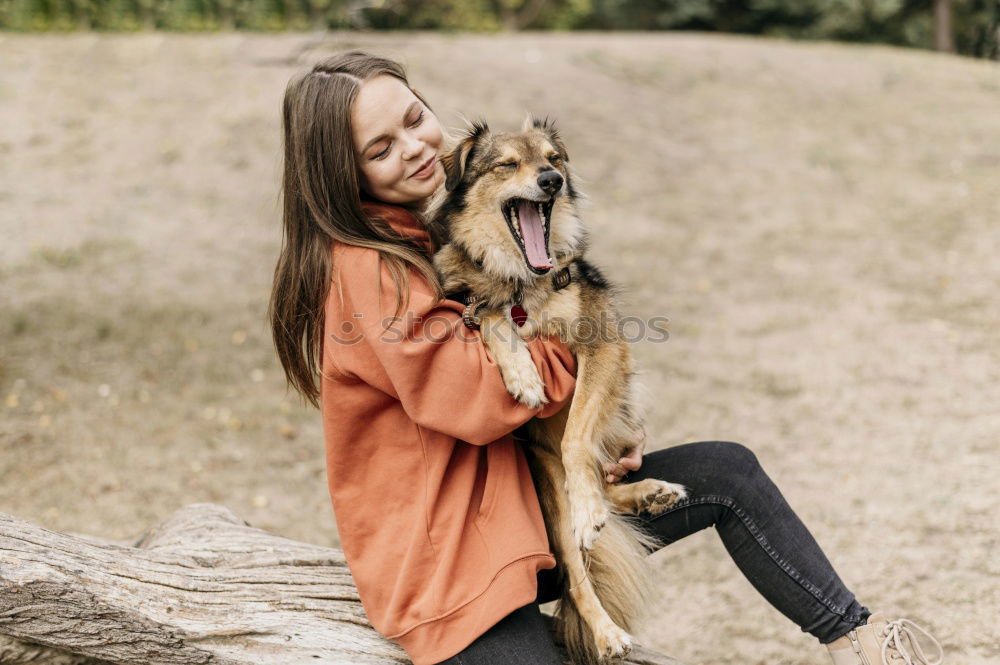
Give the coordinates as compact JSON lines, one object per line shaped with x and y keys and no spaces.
{"x":322,"y":203}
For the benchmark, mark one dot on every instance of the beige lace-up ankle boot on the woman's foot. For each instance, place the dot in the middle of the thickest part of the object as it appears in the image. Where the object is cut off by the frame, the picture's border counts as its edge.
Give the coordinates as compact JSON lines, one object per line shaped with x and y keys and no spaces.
{"x":881,"y":642}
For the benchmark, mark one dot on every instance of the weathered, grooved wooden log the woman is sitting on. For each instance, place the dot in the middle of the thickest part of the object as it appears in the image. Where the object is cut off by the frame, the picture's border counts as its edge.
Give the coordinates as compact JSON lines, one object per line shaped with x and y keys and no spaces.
{"x":202,"y":587}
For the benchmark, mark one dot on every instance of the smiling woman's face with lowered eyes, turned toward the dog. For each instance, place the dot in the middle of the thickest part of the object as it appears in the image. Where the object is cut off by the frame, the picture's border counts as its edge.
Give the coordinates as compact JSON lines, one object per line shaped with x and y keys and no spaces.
{"x":395,"y":135}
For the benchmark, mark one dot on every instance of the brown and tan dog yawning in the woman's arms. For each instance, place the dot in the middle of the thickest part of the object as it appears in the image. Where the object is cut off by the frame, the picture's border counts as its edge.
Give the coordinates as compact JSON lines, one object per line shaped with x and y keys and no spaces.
{"x":512,"y":245}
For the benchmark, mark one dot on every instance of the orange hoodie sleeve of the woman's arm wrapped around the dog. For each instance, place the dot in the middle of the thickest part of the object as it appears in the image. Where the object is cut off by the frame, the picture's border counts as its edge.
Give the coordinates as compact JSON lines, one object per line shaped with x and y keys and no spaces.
{"x":438,"y":369}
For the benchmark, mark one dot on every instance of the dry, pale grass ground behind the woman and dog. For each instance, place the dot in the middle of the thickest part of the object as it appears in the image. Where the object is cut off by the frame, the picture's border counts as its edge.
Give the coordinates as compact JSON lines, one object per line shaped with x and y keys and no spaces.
{"x":818,"y":221}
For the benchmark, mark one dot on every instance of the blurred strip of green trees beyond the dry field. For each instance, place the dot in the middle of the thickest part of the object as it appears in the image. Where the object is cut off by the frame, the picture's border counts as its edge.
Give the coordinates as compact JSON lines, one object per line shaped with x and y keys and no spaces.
{"x":970,"y":27}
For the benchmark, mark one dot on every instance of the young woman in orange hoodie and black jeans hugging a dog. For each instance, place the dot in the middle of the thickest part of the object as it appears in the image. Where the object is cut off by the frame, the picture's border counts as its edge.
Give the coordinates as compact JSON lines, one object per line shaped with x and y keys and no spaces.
{"x":435,"y":506}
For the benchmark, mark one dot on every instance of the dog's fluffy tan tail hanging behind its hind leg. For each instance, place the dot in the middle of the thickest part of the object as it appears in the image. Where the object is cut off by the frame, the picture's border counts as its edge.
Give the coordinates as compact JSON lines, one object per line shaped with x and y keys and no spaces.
{"x":620,"y":574}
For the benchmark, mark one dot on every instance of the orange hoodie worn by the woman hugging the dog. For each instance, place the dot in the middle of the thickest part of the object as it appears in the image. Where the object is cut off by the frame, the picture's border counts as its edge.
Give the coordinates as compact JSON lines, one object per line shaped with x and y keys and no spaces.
{"x":434,"y":502}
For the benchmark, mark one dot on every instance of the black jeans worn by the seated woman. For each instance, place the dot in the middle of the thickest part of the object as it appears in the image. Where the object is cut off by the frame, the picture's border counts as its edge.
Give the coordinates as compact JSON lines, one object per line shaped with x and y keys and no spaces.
{"x":727,"y":489}
